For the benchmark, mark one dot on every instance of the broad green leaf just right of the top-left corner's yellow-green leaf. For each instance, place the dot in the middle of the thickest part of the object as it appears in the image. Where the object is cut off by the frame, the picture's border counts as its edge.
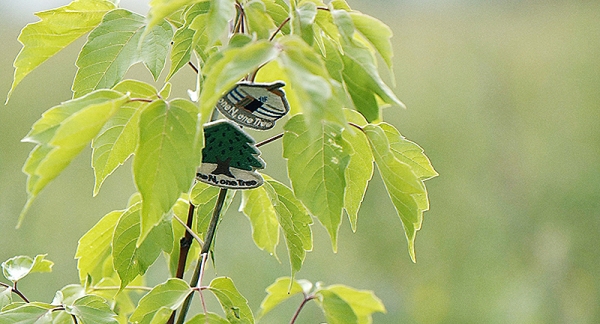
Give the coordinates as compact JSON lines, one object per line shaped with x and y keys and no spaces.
{"x":113,"y":47}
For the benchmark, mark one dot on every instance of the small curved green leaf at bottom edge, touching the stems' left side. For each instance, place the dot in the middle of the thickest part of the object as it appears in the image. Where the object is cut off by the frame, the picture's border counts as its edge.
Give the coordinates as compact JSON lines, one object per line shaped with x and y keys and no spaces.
{"x":170,"y":294}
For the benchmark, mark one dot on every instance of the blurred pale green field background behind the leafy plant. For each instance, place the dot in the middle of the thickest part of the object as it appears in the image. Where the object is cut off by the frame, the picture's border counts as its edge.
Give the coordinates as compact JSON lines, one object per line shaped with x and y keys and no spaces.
{"x":503,"y":95}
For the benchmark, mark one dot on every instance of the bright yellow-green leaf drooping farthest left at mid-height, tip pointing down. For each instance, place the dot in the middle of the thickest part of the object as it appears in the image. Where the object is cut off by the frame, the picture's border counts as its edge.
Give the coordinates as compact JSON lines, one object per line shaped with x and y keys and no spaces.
{"x":61,"y":134}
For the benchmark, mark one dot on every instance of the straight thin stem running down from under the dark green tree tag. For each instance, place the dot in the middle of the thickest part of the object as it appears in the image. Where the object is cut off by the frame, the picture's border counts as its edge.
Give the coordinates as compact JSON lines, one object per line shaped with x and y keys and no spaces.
{"x":199,"y":271}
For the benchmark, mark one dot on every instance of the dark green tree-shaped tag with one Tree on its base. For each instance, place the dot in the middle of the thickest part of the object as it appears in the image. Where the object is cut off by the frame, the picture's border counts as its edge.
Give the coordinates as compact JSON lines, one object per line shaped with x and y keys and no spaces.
{"x":229,"y":157}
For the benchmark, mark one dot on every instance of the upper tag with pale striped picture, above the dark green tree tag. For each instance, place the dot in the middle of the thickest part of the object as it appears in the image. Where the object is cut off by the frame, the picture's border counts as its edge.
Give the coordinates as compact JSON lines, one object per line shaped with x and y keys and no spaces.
{"x":255,"y":105}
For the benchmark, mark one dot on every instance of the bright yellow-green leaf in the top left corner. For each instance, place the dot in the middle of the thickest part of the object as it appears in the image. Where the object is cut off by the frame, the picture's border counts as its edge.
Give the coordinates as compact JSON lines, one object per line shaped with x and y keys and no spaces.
{"x":56,"y":30}
